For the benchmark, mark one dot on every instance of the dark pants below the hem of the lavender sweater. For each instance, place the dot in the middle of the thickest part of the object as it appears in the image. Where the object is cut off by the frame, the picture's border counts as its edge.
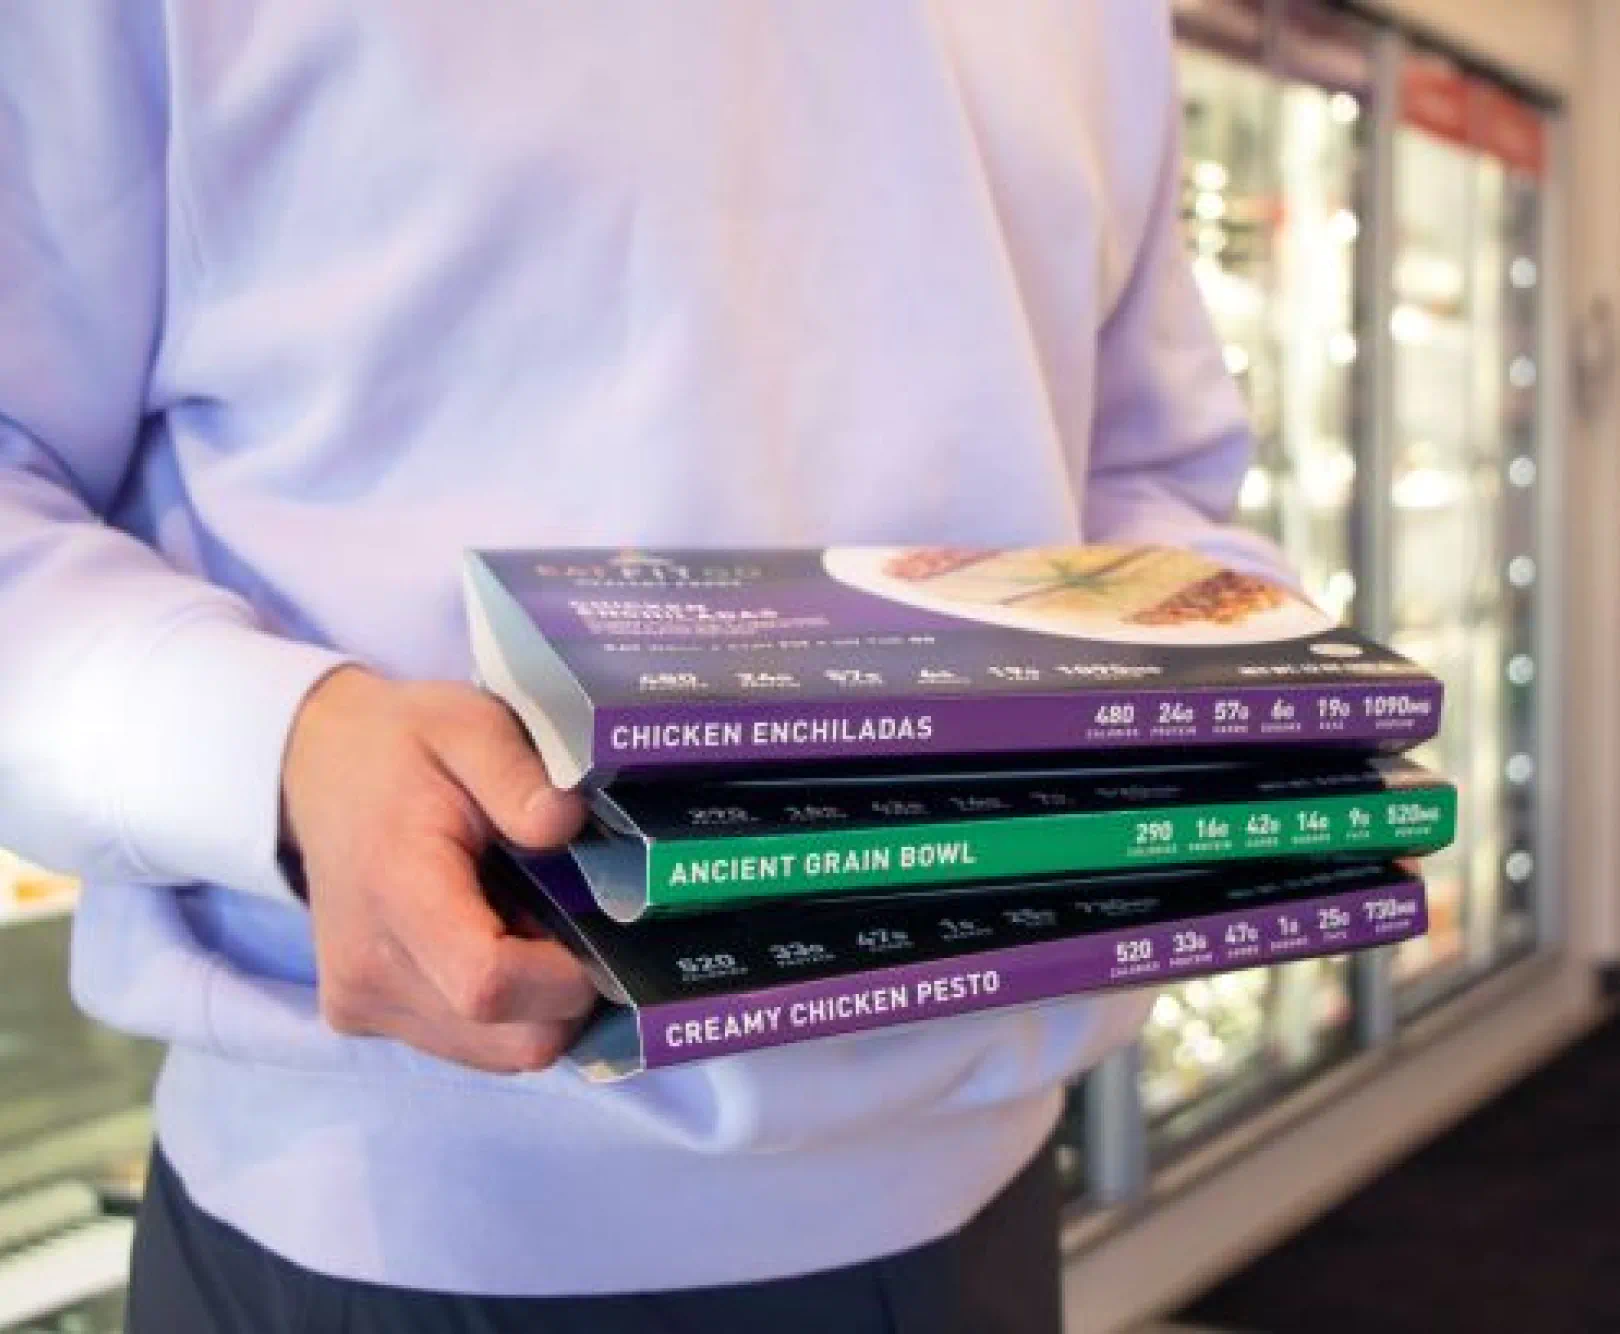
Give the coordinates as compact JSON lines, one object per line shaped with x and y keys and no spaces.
{"x":194,"y":1275}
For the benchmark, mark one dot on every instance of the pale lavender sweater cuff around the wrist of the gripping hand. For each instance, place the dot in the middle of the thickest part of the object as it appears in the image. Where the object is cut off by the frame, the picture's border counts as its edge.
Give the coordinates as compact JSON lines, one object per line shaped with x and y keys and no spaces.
{"x":208,"y":714}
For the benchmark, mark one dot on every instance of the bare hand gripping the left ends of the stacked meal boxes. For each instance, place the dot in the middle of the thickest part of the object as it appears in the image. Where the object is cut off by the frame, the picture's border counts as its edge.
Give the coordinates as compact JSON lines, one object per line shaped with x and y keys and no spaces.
{"x":391,"y":793}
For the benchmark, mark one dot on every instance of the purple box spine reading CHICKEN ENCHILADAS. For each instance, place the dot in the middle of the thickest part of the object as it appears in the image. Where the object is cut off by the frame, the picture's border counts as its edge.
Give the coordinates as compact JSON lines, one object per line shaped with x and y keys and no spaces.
{"x":1400,"y":712}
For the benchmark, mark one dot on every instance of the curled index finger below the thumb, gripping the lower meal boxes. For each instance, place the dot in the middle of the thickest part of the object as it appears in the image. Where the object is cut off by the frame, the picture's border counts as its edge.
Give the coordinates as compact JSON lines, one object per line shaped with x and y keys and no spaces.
{"x":482,"y":972}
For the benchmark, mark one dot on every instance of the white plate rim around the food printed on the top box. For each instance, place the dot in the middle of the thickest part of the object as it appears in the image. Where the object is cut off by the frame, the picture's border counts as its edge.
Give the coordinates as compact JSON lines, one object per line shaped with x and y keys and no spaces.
{"x":864,"y":568}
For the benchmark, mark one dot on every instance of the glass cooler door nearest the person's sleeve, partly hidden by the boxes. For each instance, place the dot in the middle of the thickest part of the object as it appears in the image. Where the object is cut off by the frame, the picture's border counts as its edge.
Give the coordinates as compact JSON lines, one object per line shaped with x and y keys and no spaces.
{"x":1274,"y":218}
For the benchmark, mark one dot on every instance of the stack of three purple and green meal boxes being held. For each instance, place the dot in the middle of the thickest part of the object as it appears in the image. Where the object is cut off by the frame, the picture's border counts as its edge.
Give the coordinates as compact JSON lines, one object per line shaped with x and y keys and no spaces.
{"x":842,"y":790}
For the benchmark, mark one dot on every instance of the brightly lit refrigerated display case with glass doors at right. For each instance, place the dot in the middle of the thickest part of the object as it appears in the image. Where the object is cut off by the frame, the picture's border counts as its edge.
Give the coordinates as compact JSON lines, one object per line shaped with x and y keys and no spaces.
{"x":1366,"y":224}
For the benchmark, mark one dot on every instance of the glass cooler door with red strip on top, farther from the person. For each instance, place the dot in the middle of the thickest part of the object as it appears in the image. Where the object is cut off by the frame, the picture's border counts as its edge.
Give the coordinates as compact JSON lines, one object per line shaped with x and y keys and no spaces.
{"x":1467,"y":370}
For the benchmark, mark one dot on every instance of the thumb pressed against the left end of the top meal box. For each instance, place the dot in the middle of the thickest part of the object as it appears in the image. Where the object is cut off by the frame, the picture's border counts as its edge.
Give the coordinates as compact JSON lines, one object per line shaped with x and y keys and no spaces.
{"x":484,"y":748}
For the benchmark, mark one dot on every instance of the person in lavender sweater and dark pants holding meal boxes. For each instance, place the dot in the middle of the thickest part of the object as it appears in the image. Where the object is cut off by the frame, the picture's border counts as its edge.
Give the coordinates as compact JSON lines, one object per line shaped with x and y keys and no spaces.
{"x":304,"y":297}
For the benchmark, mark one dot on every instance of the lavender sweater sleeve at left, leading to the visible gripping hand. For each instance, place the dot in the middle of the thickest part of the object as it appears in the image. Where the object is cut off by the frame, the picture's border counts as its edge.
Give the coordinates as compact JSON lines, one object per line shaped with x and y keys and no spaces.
{"x":143,"y":712}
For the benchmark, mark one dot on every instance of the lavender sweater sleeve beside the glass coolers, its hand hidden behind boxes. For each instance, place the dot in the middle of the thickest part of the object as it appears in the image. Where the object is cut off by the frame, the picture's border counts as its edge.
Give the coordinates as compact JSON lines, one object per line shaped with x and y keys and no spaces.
{"x":1170,"y":435}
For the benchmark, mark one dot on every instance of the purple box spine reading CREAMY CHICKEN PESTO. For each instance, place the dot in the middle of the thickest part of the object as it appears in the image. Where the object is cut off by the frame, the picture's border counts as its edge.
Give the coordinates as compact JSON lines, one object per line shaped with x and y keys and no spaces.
{"x":1153,"y":956}
